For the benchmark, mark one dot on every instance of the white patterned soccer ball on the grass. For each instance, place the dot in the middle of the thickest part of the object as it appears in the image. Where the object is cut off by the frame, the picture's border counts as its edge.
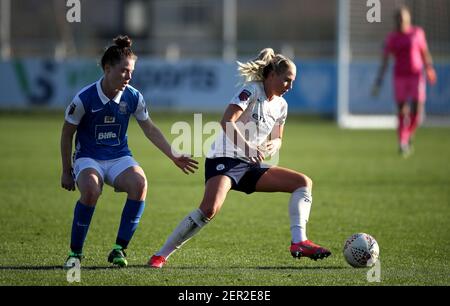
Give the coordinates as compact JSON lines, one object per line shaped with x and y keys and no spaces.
{"x":361,"y":250}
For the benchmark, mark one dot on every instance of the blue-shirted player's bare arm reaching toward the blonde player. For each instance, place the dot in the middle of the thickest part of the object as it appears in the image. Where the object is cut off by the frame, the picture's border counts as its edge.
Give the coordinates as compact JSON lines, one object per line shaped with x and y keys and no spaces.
{"x":154,"y":134}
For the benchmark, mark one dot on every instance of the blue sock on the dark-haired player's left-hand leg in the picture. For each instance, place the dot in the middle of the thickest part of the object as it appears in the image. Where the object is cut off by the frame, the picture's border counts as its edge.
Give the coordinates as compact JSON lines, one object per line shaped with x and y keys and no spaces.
{"x":81,"y":219}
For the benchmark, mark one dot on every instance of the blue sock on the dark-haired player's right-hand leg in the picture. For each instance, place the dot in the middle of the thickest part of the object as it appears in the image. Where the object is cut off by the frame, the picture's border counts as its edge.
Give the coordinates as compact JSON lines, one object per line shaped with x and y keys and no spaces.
{"x":131,"y":215}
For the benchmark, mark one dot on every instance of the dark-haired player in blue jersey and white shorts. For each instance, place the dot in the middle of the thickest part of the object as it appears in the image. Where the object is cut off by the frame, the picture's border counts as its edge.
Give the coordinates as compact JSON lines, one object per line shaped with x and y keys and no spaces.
{"x":99,"y":114}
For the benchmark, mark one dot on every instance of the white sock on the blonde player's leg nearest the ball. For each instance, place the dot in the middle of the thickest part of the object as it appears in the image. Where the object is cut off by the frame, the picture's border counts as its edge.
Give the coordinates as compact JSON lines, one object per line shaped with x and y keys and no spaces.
{"x":299,"y":208}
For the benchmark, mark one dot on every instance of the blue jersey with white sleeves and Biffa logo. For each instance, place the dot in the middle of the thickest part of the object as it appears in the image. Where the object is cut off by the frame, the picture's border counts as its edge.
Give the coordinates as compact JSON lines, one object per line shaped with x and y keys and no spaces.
{"x":103,"y":122}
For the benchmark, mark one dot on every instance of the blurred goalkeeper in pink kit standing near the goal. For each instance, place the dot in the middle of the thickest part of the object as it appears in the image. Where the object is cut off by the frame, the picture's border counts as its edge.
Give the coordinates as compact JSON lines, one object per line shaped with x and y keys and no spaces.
{"x":409,"y":47}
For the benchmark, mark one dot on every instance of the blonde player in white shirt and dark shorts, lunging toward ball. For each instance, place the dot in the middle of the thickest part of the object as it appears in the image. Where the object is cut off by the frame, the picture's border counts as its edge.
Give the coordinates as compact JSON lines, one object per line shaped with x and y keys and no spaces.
{"x":235,"y":161}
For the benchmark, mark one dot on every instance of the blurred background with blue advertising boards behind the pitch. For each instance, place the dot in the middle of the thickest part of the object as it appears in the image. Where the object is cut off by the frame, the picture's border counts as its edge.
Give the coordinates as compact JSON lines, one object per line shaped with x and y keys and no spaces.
{"x":187,"y":50}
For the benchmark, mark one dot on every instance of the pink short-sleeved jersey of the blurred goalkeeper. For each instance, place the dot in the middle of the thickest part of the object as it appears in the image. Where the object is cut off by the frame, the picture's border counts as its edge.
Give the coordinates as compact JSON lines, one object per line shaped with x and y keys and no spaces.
{"x":407,"y":49}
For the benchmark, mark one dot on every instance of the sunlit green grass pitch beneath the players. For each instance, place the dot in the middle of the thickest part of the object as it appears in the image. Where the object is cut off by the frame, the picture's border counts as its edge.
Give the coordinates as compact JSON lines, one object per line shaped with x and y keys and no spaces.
{"x":361,"y":184}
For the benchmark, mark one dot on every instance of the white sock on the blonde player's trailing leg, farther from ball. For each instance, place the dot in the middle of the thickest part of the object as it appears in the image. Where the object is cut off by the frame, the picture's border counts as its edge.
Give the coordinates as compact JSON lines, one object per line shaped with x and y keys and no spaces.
{"x":184,"y":231}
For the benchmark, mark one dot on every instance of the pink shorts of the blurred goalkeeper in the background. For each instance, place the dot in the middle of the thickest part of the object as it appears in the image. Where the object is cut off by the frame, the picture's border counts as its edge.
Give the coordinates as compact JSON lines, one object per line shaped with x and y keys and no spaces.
{"x":409,"y":88}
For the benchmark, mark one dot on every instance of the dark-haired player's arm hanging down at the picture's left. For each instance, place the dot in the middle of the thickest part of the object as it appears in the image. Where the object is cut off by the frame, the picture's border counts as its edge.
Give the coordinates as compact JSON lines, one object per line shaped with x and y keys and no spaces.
{"x":67,"y":180}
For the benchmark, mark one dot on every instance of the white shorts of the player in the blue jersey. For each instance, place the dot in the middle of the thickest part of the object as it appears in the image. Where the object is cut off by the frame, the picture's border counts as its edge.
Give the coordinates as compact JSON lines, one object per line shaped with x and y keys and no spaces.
{"x":108,"y":169}
